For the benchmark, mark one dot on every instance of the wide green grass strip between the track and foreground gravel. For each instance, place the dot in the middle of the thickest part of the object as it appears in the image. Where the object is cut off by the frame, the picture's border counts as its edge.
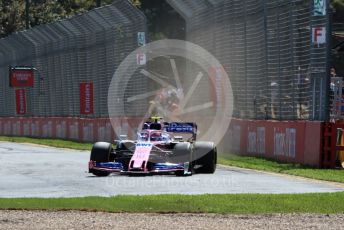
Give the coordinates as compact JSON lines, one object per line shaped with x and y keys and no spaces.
{"x":229,"y":203}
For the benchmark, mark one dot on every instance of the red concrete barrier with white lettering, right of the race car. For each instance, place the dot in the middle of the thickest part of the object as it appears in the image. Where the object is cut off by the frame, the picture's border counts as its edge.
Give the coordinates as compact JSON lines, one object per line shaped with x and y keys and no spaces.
{"x":285,"y":141}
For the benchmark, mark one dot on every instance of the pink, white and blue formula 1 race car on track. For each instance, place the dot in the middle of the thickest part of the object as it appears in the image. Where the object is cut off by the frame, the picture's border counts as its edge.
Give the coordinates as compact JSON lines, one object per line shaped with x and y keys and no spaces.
{"x":156,"y":151}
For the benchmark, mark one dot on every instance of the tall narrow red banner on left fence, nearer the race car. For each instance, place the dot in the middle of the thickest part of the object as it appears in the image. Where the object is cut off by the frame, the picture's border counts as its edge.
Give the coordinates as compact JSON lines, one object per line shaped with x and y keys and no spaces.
{"x":86,"y":98}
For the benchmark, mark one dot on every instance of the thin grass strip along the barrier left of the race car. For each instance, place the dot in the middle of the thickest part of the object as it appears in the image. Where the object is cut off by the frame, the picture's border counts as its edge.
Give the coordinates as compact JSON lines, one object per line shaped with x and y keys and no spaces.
{"x":49,"y":142}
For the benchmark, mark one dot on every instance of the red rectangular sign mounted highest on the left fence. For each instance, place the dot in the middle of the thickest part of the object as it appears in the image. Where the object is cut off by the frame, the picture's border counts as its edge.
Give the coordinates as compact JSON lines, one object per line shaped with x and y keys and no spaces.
{"x":21,"y":78}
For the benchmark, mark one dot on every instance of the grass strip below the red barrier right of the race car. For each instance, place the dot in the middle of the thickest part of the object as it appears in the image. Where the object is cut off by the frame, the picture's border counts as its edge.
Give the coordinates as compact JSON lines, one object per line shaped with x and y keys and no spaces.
{"x":336,"y":175}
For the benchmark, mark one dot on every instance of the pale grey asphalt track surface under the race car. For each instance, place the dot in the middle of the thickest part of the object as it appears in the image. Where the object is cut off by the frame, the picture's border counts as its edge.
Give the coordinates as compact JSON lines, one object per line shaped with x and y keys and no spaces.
{"x":36,"y":171}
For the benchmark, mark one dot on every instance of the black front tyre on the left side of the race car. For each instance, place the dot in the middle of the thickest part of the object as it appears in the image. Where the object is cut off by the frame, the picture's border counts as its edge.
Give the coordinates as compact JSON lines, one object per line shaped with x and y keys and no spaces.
{"x":101,"y":152}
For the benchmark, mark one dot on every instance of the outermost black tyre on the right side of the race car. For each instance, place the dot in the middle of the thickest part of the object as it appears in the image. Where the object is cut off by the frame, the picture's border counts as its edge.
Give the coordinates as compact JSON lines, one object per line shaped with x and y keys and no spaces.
{"x":205,"y":154}
